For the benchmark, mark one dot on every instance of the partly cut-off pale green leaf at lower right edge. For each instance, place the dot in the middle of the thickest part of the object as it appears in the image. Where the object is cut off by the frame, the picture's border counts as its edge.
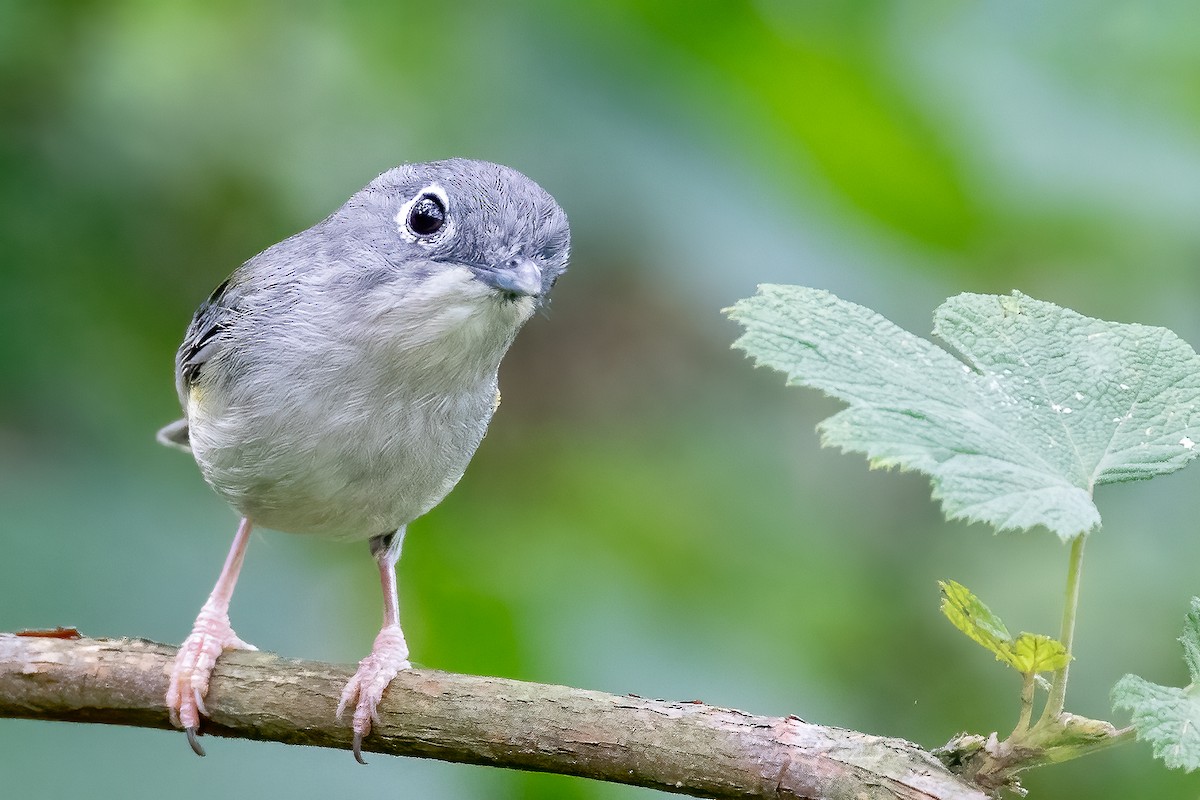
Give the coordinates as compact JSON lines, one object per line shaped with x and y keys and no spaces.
{"x":1168,"y":718}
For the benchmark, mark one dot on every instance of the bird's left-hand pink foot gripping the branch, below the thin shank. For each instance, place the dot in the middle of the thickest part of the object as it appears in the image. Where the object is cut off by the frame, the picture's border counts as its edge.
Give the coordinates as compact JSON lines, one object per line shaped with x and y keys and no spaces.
{"x":197,"y":657}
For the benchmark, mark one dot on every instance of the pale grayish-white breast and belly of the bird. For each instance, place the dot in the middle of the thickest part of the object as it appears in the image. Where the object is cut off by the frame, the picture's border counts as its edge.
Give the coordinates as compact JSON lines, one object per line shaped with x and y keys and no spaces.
{"x":344,"y":434}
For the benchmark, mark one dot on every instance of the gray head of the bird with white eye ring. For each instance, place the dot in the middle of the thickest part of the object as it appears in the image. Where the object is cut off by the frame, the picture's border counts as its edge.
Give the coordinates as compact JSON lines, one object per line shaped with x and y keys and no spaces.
{"x":457,"y":255}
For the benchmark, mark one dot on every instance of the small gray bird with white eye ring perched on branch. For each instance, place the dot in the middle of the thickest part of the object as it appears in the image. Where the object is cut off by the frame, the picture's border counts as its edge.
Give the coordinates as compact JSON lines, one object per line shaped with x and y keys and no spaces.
{"x":340,"y":382}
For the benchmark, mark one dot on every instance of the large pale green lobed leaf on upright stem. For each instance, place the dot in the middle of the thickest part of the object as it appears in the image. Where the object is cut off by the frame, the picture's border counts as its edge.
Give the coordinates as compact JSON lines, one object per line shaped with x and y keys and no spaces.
{"x":1043,"y":406}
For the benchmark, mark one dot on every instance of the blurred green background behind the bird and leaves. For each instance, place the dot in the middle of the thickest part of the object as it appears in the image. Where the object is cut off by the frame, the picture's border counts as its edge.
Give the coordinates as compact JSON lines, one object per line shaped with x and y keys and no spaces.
{"x":650,"y":514}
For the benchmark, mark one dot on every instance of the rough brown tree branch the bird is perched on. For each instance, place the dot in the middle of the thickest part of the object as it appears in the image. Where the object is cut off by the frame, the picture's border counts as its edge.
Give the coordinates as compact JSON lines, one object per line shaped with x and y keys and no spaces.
{"x":685,"y":748}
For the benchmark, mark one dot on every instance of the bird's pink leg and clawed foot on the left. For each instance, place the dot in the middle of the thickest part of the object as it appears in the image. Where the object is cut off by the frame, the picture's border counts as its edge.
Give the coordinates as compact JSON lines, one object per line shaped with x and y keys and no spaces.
{"x":211,"y":636}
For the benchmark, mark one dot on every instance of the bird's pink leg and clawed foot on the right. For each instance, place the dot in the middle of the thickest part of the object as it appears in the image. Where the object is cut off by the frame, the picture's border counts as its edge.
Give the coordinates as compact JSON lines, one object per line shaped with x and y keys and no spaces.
{"x":389,"y":654}
